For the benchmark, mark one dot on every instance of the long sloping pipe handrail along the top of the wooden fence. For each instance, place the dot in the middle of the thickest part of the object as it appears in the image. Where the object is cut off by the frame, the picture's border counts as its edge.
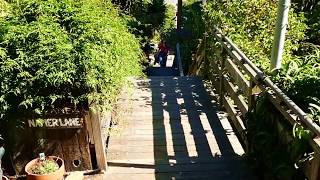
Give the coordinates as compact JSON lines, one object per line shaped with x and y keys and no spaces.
{"x":266,"y":80}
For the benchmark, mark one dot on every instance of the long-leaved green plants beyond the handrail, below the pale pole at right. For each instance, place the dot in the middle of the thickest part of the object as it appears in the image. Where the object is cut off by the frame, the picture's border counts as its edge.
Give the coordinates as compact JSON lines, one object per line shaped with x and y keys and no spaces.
{"x":299,"y":78}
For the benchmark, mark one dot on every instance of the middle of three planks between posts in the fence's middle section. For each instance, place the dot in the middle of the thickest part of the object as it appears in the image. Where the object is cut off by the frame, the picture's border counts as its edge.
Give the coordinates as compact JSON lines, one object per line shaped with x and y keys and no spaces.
{"x":238,"y":99}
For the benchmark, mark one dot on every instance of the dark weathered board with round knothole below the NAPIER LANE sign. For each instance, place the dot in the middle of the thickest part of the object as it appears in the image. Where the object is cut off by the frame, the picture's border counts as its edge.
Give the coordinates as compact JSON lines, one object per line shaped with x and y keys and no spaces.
{"x":69,"y":144}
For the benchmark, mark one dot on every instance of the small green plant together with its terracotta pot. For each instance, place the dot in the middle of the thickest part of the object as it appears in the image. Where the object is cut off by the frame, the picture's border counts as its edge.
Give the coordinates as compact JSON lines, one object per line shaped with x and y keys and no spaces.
{"x":45,"y":168}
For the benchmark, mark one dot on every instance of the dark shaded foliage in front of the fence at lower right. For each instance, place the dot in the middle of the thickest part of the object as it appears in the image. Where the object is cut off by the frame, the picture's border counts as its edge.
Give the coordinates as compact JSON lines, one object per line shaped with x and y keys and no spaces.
{"x":272,"y":149}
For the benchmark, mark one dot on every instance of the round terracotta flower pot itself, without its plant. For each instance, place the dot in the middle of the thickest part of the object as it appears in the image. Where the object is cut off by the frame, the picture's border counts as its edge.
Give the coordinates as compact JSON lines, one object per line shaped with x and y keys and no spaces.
{"x":57,"y":175}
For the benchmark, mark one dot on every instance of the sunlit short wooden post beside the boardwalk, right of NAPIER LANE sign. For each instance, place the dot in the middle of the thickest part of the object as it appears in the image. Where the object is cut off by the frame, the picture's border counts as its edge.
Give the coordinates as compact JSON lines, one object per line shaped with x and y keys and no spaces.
{"x":99,"y":140}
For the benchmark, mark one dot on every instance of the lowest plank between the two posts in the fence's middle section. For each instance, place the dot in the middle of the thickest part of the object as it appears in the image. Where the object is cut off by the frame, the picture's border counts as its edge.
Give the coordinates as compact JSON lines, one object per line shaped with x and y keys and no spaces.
{"x":236,"y":120}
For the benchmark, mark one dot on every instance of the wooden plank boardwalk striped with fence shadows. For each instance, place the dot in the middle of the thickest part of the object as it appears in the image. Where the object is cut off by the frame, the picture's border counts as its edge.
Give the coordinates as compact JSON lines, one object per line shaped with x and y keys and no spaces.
{"x":173,"y":131}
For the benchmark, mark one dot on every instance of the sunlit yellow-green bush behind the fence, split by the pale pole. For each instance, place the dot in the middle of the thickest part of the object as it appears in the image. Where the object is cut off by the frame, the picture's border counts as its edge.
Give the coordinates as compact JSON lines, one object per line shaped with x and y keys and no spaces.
{"x":250,"y":24}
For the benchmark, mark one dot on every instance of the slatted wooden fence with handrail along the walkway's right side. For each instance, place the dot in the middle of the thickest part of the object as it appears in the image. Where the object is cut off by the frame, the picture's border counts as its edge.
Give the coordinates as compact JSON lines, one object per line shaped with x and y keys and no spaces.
{"x":239,"y":82}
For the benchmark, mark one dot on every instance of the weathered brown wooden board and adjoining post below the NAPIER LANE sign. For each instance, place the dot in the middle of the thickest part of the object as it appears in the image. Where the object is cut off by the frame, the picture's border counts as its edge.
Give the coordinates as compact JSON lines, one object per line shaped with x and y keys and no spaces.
{"x":71,"y":144}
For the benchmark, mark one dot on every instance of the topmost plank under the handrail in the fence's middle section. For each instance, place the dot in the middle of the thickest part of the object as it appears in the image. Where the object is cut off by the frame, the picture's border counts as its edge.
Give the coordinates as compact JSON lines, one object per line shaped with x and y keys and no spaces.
{"x":238,"y":77}
